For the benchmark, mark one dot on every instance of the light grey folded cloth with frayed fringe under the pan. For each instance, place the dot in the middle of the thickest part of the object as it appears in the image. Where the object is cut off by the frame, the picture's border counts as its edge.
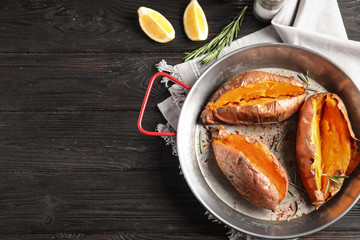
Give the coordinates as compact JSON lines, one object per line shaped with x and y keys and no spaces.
{"x":316,"y":25}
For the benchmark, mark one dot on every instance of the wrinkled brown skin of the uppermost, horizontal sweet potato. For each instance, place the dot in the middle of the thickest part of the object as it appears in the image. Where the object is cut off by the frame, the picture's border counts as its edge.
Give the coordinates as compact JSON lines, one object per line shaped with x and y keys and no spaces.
{"x":272,"y":112}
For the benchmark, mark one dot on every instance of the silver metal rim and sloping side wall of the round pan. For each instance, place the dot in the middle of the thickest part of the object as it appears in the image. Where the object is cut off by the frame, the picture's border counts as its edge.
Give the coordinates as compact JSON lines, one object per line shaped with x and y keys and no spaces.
{"x":210,"y":187}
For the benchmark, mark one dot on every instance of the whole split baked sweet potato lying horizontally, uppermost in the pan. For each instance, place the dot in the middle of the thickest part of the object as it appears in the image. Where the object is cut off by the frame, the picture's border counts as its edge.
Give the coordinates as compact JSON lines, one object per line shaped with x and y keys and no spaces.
{"x":254,"y":97}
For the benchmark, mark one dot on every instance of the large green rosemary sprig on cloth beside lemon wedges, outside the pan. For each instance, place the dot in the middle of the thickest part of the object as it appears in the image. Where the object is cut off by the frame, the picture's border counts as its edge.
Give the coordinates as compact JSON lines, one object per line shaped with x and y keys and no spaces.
{"x":223,"y":39}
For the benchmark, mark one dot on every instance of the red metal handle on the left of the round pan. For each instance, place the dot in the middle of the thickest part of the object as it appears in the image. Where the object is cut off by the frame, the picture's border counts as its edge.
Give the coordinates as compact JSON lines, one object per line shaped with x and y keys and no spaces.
{"x":146,"y":98}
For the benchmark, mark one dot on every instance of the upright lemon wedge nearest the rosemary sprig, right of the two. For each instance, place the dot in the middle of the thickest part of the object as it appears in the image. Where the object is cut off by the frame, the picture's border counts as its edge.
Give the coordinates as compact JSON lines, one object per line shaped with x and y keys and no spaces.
{"x":195,"y":24}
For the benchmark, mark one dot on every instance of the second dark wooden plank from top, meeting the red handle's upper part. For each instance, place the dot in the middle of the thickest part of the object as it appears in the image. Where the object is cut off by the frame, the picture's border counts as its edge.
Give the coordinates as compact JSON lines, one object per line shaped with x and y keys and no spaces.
{"x":78,"y":82}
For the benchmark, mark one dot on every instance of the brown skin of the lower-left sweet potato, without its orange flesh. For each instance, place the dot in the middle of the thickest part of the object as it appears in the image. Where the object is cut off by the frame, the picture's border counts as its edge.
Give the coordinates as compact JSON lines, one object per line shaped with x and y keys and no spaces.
{"x":251,"y":183}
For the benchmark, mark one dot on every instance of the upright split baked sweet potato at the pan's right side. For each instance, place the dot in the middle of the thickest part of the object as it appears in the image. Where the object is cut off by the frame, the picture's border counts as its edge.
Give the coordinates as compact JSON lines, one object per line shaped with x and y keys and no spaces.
{"x":325,"y":146}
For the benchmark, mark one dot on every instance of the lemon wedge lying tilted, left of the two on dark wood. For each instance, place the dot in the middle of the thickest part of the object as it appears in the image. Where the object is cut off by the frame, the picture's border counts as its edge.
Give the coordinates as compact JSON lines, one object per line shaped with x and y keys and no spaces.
{"x":155,"y":25}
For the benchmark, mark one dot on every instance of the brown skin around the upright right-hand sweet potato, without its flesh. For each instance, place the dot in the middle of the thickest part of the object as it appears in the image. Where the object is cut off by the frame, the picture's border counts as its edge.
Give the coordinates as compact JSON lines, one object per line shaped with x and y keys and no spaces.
{"x":305,"y":149}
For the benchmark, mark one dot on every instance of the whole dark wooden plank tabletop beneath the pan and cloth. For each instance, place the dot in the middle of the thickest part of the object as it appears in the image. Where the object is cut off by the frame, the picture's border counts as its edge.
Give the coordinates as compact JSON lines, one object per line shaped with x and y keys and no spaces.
{"x":73,"y":164}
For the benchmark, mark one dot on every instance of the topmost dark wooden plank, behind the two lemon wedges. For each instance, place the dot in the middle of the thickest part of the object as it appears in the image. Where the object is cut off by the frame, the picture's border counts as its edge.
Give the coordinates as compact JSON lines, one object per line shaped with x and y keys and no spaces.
{"x":106,"y":26}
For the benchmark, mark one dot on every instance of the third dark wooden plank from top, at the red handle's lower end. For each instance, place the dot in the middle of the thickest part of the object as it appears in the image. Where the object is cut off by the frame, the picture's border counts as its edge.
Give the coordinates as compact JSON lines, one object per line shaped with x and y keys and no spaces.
{"x":81,"y":141}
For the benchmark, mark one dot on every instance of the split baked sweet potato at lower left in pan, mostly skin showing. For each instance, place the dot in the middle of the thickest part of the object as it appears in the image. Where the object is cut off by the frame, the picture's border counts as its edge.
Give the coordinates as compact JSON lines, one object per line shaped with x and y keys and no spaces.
{"x":251,"y":168}
